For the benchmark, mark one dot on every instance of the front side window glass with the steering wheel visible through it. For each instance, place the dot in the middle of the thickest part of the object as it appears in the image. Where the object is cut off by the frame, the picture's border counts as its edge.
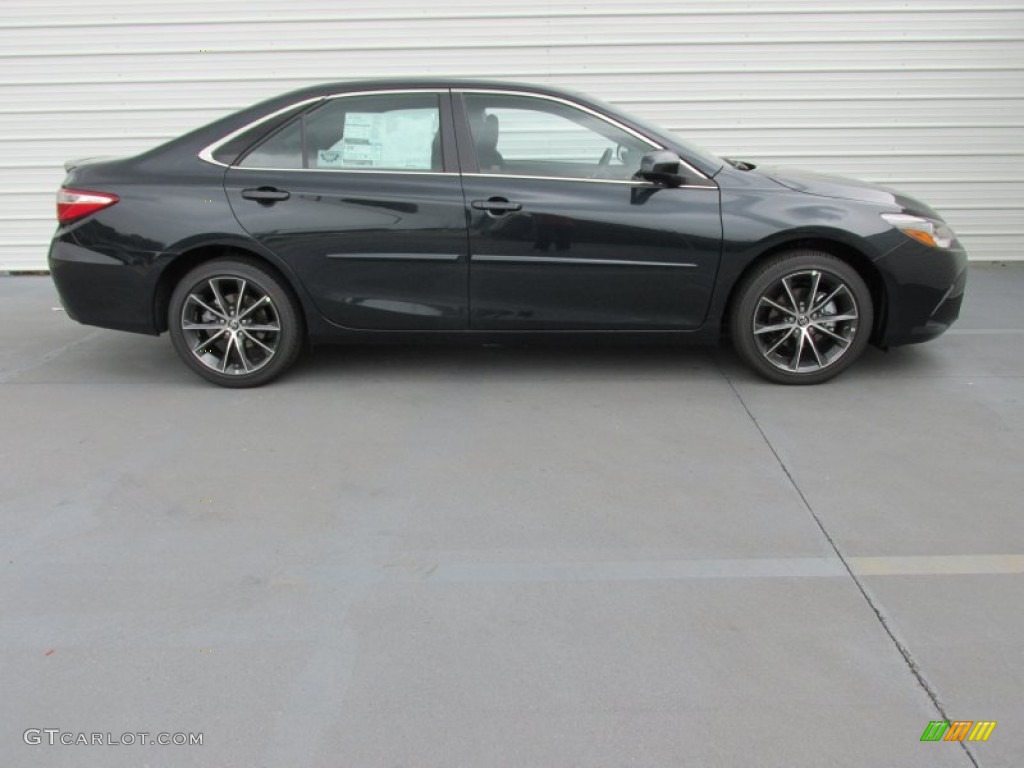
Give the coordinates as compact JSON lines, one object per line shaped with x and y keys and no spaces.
{"x":525,"y":136}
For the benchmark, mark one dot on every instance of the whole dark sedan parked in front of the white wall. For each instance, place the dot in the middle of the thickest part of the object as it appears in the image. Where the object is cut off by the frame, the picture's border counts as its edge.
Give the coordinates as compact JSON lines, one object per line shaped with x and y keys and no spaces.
{"x":408,"y":210}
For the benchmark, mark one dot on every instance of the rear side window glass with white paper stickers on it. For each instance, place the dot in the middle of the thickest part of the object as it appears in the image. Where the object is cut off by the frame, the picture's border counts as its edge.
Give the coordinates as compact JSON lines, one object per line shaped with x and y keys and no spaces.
{"x":391,"y":133}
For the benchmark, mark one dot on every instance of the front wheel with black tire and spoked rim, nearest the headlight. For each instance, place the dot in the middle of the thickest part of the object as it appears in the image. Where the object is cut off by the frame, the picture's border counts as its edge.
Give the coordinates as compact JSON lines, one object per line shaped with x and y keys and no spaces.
{"x":788,"y":338}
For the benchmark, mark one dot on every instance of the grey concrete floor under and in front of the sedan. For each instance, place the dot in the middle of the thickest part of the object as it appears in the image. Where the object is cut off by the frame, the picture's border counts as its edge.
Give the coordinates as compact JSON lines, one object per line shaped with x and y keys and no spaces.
{"x":506,"y":558}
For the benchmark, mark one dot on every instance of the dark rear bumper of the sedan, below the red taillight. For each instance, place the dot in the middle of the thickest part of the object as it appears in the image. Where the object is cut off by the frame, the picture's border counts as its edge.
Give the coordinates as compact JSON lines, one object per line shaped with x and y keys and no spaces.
{"x":99,"y":290}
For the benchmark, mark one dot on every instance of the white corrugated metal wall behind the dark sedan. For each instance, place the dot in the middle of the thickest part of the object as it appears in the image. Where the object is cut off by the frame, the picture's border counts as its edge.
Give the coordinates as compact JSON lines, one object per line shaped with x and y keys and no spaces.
{"x":927,"y":96}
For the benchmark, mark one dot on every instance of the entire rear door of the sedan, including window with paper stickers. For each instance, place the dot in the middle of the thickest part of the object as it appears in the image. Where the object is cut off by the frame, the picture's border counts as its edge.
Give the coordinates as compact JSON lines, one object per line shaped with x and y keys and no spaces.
{"x":362,"y":197}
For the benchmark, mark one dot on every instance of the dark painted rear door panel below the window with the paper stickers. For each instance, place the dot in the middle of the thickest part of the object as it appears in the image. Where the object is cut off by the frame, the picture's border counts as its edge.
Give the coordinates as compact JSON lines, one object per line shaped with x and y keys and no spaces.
{"x":334,"y":224}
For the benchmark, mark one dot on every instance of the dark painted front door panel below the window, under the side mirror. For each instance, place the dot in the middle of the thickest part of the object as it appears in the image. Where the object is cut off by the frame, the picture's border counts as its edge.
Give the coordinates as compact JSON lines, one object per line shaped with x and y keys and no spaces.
{"x":584,"y":255}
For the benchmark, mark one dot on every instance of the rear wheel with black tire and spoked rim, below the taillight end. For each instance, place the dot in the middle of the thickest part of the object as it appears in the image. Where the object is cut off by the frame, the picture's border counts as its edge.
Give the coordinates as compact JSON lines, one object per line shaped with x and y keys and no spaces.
{"x":230,"y":345}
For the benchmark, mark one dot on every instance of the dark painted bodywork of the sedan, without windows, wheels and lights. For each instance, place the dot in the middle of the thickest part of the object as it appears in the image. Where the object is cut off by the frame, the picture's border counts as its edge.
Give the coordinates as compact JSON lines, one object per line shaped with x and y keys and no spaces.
{"x":398,"y":254}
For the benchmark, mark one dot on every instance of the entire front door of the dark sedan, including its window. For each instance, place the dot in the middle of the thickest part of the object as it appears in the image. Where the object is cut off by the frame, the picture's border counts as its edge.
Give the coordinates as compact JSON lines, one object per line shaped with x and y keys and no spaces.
{"x":561,"y":235}
